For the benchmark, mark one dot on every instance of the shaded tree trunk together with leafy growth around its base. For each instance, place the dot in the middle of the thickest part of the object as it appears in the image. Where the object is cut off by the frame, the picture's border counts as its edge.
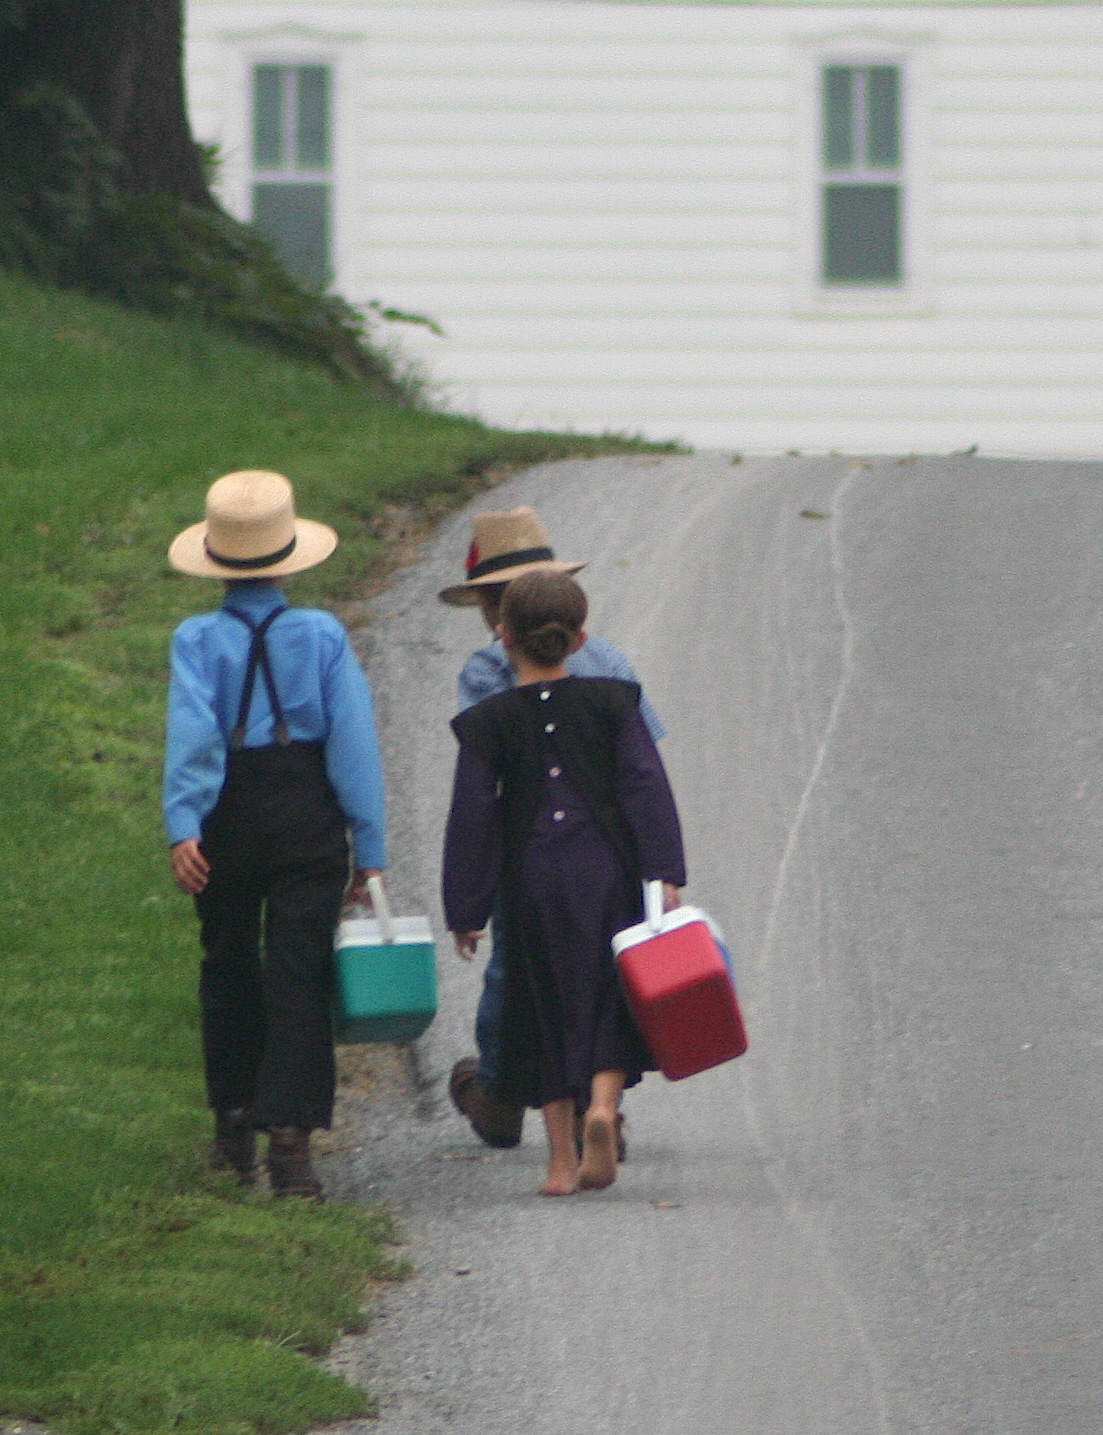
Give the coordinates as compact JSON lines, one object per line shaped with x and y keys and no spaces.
{"x":103,"y":187}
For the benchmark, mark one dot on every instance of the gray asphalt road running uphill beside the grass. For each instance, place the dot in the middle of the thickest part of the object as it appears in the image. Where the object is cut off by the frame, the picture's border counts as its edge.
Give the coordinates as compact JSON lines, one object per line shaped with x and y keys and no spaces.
{"x":886,"y":743}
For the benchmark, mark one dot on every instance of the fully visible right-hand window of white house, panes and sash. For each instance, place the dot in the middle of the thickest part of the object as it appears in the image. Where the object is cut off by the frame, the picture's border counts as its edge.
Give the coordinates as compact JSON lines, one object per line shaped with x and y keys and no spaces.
{"x":863,"y":184}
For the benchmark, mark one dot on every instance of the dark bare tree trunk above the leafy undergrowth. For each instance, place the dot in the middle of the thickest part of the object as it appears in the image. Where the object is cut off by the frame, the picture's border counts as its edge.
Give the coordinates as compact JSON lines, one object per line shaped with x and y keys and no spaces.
{"x":124,"y":62}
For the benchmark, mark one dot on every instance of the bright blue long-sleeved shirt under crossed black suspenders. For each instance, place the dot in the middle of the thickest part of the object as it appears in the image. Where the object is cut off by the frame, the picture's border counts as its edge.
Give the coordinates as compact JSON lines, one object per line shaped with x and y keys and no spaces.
{"x":322,"y":691}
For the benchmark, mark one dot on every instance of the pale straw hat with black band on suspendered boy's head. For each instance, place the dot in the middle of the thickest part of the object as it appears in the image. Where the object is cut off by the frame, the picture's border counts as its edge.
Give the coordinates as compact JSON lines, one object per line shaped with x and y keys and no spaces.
{"x":252,"y":532}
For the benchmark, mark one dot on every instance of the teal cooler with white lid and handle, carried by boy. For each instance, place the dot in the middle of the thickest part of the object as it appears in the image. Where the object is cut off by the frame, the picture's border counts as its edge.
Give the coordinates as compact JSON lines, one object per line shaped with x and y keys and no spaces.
{"x":387,"y":978}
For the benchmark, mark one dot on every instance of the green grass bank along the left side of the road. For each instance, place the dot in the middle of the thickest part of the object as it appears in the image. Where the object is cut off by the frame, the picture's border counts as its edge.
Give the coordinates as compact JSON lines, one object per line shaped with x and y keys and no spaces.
{"x":140,"y":1292}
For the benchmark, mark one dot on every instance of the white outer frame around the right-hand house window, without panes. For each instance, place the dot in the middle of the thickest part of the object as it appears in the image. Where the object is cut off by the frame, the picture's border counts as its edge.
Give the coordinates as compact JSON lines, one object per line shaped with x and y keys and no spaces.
{"x":861,"y":51}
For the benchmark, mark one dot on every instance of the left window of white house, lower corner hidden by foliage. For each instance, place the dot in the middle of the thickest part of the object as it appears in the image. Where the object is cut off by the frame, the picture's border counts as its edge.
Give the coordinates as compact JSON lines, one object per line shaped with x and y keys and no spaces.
{"x":292,"y":182}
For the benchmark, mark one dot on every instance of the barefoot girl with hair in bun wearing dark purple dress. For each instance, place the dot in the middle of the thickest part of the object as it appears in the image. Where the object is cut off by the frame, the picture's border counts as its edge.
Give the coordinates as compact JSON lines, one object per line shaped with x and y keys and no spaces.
{"x":562,"y":803}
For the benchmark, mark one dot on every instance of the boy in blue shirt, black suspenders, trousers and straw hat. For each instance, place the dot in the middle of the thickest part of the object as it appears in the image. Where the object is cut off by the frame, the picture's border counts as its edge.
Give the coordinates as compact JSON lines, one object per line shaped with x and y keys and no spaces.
{"x":272,"y":761}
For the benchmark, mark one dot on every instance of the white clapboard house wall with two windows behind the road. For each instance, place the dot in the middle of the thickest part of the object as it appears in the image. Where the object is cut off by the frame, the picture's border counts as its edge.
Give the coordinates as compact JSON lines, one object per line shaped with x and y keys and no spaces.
{"x":788,"y":226}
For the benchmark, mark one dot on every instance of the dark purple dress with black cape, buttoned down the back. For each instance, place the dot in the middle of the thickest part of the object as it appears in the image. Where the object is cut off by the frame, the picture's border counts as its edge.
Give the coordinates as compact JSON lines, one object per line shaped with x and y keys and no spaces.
{"x":569,"y":879}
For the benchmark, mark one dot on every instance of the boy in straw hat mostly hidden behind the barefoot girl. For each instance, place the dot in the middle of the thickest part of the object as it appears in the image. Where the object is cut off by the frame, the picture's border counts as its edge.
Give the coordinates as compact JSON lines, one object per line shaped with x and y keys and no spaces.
{"x":504,"y":546}
